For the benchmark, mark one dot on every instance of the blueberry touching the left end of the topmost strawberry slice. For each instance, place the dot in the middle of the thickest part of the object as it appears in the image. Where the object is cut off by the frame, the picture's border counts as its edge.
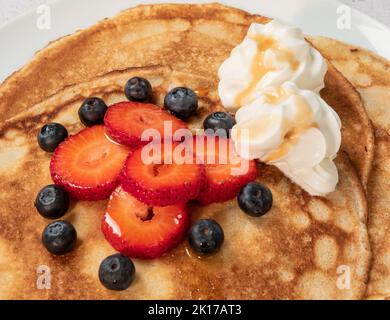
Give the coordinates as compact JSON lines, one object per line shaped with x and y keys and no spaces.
{"x":92,"y":111}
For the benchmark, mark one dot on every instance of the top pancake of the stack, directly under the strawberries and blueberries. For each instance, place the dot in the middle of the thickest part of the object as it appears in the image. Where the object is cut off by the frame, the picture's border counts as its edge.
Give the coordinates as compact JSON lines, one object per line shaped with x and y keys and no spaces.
{"x":304,"y":248}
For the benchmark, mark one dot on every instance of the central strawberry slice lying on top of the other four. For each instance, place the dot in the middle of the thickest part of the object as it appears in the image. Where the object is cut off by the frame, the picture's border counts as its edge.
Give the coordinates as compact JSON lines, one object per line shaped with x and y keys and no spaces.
{"x":163,"y":181}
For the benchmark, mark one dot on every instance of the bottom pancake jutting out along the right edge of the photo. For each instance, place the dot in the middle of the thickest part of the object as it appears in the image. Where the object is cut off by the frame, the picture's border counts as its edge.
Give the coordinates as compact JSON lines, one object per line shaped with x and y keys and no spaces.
{"x":370,"y":74}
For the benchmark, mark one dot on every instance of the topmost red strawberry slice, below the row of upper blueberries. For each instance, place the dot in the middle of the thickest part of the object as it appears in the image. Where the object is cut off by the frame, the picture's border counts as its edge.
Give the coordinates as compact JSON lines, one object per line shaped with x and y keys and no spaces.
{"x":127,"y":121}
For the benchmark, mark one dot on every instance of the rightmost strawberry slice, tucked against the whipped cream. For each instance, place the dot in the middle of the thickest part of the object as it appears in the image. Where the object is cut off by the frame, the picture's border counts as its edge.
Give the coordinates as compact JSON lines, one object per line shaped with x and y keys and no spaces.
{"x":226,"y":172}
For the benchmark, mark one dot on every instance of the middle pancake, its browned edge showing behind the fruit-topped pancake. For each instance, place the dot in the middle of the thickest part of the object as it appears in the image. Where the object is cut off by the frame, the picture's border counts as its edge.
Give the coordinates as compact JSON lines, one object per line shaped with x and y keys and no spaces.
{"x":180,"y":36}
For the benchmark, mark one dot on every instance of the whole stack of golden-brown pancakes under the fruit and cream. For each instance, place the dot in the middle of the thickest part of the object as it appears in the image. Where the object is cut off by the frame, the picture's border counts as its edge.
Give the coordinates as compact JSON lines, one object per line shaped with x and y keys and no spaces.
{"x":306,"y":247}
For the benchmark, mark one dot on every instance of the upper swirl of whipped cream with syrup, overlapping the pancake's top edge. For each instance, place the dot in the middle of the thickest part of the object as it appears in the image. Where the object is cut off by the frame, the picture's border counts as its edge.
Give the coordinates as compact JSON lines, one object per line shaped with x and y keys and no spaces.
{"x":270,"y":55}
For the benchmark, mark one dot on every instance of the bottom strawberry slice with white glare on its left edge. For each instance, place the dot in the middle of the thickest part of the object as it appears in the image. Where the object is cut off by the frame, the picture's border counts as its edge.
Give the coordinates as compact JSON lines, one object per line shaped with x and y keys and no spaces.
{"x":139,"y":231}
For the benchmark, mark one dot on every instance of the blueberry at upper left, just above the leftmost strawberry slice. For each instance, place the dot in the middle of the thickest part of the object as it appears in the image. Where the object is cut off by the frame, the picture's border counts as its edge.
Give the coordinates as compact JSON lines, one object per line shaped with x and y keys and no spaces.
{"x":51,"y":135}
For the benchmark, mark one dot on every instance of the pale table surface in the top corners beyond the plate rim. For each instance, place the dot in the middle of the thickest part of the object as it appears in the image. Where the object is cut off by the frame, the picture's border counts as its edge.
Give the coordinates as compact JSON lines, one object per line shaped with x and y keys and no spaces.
{"x":378,"y":9}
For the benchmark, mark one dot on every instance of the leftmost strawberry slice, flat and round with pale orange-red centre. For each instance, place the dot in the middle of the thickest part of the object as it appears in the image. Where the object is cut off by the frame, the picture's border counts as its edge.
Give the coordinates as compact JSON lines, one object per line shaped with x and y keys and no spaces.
{"x":88,"y":164}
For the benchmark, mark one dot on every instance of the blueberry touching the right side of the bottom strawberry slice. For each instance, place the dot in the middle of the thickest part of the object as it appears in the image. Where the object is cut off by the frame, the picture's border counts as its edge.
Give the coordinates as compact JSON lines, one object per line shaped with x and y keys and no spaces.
{"x":206,"y":237}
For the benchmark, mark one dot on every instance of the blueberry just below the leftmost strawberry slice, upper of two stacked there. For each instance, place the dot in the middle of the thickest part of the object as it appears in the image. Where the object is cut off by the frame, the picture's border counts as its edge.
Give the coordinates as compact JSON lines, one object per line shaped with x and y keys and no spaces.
{"x":52,"y":202}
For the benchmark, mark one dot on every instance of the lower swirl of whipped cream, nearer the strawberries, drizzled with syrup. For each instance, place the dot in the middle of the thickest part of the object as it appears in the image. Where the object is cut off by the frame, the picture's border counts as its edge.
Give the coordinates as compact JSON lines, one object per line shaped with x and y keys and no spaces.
{"x":294,"y":130}
